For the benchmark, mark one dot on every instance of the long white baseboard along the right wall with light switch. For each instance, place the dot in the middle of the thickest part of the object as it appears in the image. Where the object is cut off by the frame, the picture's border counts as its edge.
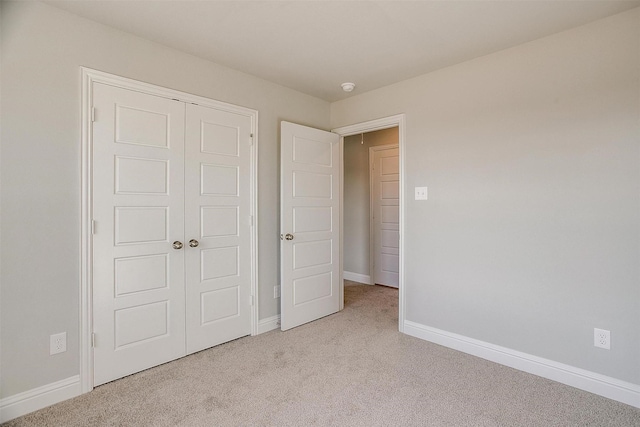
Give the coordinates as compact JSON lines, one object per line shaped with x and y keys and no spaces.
{"x":592,"y":382}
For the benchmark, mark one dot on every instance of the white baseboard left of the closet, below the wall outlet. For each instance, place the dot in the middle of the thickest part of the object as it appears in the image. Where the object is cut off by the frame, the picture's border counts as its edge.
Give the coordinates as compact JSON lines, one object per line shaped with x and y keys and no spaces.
{"x":23,"y":403}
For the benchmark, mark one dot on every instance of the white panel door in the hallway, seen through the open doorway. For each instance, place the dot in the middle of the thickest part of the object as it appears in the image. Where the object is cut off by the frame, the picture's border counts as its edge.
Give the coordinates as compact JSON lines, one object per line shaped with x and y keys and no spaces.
{"x":385,"y":209}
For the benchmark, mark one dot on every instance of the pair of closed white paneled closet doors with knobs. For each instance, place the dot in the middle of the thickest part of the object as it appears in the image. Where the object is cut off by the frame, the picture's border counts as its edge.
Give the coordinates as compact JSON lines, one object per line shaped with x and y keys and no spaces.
{"x":171,"y":229}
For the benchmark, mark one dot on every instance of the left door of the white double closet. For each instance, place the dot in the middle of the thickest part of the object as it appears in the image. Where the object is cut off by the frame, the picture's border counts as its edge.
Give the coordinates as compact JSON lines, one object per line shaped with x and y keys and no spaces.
{"x":138,"y":209}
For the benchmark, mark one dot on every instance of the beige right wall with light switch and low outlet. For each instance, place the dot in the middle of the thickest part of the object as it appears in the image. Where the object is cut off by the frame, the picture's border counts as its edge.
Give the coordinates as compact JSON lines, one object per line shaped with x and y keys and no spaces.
{"x":530,"y":237}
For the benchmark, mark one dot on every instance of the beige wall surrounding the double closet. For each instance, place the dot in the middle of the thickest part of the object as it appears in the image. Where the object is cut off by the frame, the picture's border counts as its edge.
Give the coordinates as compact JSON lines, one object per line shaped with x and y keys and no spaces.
{"x":42,"y":51}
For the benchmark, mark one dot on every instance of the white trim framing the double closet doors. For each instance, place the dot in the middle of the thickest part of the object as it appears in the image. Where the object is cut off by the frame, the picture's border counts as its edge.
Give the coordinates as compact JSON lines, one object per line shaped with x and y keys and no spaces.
{"x":89,"y":77}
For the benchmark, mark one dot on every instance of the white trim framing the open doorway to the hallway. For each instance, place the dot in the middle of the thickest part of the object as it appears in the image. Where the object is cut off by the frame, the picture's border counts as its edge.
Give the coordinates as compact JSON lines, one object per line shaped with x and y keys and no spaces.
{"x":370,"y":126}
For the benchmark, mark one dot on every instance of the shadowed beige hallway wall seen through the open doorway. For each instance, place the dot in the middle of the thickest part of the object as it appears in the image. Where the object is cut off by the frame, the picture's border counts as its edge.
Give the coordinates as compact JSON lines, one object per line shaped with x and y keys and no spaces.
{"x":356,"y":197}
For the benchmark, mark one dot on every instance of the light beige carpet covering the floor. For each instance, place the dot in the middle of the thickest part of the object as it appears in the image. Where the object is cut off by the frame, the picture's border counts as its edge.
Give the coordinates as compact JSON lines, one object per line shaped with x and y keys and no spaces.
{"x":349,"y":369}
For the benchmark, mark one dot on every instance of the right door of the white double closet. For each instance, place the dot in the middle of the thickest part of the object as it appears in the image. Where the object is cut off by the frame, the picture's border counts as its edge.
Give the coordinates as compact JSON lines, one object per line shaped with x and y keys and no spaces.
{"x":218,"y":226}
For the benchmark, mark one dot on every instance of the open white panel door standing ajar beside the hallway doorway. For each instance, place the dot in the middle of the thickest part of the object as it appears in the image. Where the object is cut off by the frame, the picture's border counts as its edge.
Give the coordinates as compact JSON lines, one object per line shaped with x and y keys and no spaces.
{"x":310,"y":224}
